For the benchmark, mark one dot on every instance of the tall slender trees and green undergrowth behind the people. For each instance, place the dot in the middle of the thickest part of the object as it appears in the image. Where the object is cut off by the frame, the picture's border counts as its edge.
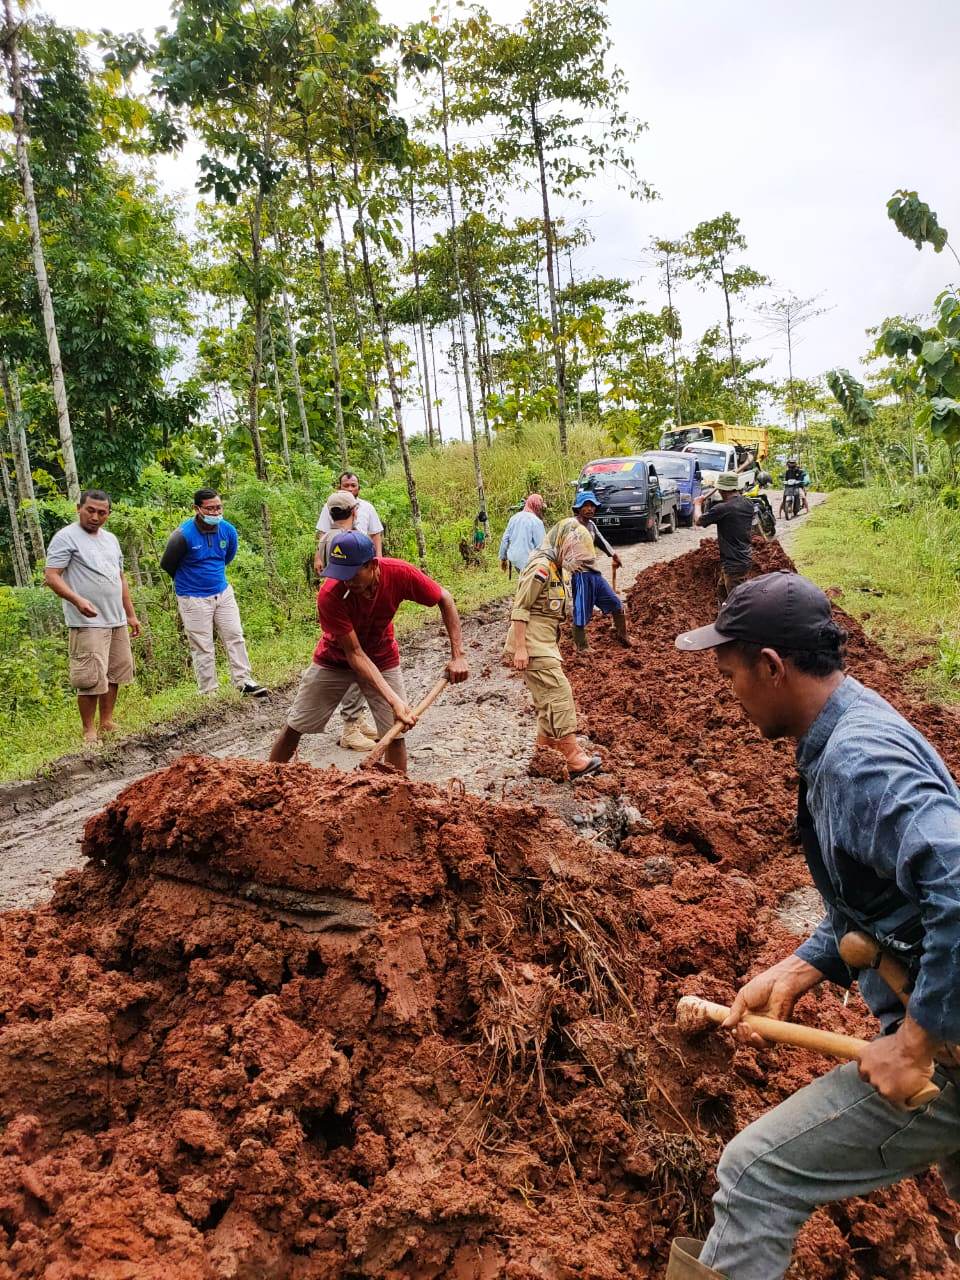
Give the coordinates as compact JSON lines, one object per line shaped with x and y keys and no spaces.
{"x":348,"y":266}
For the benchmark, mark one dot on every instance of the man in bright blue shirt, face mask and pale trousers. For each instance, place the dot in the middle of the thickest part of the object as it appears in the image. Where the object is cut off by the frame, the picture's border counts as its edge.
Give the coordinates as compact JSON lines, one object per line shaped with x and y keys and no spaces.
{"x":196,"y":557}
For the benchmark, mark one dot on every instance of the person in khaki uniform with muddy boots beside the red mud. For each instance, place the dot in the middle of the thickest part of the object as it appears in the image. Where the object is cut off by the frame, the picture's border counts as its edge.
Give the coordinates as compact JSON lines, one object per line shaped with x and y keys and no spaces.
{"x":533,"y":641}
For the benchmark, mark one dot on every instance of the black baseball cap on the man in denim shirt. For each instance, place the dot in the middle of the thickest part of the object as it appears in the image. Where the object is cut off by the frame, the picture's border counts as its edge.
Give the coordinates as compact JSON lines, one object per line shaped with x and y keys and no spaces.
{"x":778,"y":611}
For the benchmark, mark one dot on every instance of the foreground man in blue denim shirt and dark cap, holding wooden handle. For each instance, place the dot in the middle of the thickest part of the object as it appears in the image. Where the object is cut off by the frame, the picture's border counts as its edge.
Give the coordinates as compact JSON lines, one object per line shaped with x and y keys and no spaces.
{"x":881,"y":817}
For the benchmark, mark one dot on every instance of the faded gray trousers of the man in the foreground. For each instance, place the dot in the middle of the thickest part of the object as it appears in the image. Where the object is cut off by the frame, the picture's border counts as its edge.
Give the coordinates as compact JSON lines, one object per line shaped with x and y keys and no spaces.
{"x":835,"y":1139}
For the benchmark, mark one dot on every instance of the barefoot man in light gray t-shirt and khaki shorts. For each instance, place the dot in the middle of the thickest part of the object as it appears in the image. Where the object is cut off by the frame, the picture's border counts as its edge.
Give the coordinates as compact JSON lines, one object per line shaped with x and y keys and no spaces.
{"x":85,"y":569}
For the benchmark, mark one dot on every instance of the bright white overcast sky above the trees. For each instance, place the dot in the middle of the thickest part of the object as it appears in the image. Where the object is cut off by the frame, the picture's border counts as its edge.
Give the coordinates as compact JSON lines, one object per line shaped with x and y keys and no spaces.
{"x":802,"y":120}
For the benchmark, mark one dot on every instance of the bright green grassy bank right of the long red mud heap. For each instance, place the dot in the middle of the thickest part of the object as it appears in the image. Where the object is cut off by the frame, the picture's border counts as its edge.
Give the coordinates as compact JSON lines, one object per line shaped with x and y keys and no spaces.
{"x":894,"y":556}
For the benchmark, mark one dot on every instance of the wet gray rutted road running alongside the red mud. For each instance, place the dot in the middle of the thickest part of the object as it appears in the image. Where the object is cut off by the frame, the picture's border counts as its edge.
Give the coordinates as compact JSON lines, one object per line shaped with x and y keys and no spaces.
{"x":481,"y":733}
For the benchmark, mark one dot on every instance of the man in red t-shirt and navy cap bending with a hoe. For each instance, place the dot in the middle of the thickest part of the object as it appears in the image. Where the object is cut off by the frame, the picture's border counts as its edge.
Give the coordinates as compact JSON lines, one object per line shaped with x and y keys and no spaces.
{"x":355,"y":609}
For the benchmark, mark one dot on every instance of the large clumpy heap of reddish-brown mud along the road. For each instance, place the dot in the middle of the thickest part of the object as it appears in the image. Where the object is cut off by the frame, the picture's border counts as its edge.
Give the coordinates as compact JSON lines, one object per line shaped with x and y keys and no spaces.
{"x":308,"y":1025}
